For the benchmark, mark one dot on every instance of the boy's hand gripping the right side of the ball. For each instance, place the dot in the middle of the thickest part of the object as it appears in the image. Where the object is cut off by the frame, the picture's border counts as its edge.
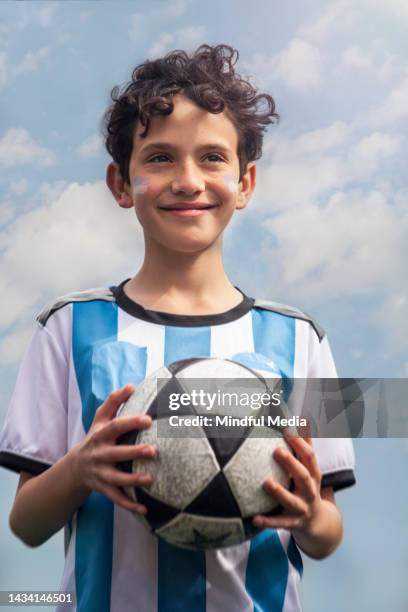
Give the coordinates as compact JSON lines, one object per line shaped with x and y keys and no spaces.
{"x":302,"y":505}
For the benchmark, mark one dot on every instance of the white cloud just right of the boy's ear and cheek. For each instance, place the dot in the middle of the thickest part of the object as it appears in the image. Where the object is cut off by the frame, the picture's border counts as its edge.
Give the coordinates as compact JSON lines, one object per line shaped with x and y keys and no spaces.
{"x":308,"y":167}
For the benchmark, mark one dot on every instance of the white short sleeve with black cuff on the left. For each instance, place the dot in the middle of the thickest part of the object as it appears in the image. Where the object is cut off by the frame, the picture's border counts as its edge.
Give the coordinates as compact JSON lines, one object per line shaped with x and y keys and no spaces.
{"x":34,"y":434}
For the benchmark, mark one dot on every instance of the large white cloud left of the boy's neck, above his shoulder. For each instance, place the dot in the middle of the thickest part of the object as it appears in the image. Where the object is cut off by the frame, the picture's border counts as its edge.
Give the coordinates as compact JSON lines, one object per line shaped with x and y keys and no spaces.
{"x":79,"y":240}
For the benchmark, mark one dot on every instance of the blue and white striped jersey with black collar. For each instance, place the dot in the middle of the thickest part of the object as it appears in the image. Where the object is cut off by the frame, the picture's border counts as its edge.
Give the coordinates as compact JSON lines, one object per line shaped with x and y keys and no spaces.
{"x":88,"y":344}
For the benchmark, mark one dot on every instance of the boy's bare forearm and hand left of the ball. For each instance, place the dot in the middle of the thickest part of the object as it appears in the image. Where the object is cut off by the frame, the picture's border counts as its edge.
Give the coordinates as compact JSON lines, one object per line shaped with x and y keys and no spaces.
{"x":45,"y":503}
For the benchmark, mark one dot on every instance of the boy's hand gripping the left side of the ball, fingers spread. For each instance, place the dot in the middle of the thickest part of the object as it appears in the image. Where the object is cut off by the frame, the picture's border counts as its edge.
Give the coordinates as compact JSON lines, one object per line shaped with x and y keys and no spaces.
{"x":94,"y":458}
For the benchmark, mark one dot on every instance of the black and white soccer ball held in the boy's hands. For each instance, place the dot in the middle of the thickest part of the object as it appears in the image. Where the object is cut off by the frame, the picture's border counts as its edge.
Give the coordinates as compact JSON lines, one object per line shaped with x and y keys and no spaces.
{"x":207,"y":475}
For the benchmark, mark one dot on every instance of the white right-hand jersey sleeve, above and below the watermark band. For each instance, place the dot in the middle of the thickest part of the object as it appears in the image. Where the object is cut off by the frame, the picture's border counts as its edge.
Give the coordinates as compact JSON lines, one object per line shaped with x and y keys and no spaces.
{"x":335,"y":456}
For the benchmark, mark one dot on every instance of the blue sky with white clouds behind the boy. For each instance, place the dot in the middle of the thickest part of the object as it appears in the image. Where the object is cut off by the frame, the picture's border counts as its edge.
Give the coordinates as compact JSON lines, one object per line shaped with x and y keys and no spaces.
{"x":325,"y":231}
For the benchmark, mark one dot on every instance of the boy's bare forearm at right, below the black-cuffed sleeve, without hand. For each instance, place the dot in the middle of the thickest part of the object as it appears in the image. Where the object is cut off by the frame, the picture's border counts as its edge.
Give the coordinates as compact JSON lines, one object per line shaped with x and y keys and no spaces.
{"x":325,"y":533}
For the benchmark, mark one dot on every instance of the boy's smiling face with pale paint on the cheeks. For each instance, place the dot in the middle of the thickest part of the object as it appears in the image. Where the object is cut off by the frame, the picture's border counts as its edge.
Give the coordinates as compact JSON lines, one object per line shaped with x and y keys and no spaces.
{"x":196,"y":166}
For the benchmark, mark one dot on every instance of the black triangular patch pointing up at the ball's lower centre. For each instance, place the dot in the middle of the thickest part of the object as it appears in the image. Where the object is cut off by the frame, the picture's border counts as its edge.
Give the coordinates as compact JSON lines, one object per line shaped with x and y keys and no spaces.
{"x":216,"y":500}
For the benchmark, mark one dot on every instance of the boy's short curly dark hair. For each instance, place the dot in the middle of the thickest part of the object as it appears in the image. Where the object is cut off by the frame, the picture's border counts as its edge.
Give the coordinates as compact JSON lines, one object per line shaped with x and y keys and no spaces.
{"x":207,"y":78}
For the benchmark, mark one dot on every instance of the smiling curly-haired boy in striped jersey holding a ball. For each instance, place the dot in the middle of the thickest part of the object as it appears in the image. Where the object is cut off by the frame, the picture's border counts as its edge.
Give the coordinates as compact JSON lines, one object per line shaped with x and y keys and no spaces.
{"x":183,"y":136}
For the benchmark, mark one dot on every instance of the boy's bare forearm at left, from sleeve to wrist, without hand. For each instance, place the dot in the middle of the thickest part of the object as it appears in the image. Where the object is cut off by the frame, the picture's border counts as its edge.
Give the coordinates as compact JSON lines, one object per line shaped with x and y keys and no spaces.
{"x":47,"y":502}
